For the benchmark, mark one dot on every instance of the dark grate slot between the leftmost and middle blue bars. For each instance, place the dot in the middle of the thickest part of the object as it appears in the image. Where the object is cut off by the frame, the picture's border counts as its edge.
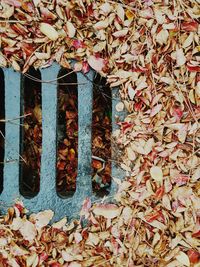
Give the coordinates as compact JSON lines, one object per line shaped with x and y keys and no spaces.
{"x":30,"y":134}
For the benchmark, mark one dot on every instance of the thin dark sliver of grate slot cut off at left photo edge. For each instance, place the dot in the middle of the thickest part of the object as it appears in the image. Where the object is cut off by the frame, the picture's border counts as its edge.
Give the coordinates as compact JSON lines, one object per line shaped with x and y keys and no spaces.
{"x":2,"y":126}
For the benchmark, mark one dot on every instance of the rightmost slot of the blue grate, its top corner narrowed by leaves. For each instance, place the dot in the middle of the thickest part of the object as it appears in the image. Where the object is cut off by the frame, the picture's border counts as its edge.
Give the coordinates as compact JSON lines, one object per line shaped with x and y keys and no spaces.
{"x":101,"y":137}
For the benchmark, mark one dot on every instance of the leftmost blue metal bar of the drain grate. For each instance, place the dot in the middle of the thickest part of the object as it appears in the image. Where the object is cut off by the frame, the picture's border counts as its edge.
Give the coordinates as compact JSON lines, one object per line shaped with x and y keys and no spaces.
{"x":12,"y":111}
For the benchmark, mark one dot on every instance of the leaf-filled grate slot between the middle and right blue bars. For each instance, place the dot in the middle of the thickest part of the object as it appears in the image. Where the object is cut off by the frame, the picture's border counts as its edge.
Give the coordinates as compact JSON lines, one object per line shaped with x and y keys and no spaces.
{"x":67,"y":133}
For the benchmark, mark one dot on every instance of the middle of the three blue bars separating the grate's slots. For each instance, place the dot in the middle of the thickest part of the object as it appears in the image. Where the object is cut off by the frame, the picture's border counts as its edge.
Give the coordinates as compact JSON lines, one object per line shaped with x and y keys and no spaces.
{"x":49,"y":119}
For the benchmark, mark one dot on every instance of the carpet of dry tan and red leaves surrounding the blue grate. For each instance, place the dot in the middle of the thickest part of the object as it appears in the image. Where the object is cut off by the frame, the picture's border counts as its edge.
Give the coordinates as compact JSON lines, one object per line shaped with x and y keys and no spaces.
{"x":151,"y":50}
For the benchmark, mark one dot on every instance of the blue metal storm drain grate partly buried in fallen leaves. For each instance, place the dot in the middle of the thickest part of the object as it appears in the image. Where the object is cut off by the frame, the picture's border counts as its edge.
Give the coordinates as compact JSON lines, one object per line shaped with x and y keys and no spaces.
{"x":47,"y":197}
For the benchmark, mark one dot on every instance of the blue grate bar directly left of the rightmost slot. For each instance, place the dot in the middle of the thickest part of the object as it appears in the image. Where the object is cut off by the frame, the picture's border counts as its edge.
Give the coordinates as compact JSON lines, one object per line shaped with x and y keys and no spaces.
{"x":85,"y":94}
